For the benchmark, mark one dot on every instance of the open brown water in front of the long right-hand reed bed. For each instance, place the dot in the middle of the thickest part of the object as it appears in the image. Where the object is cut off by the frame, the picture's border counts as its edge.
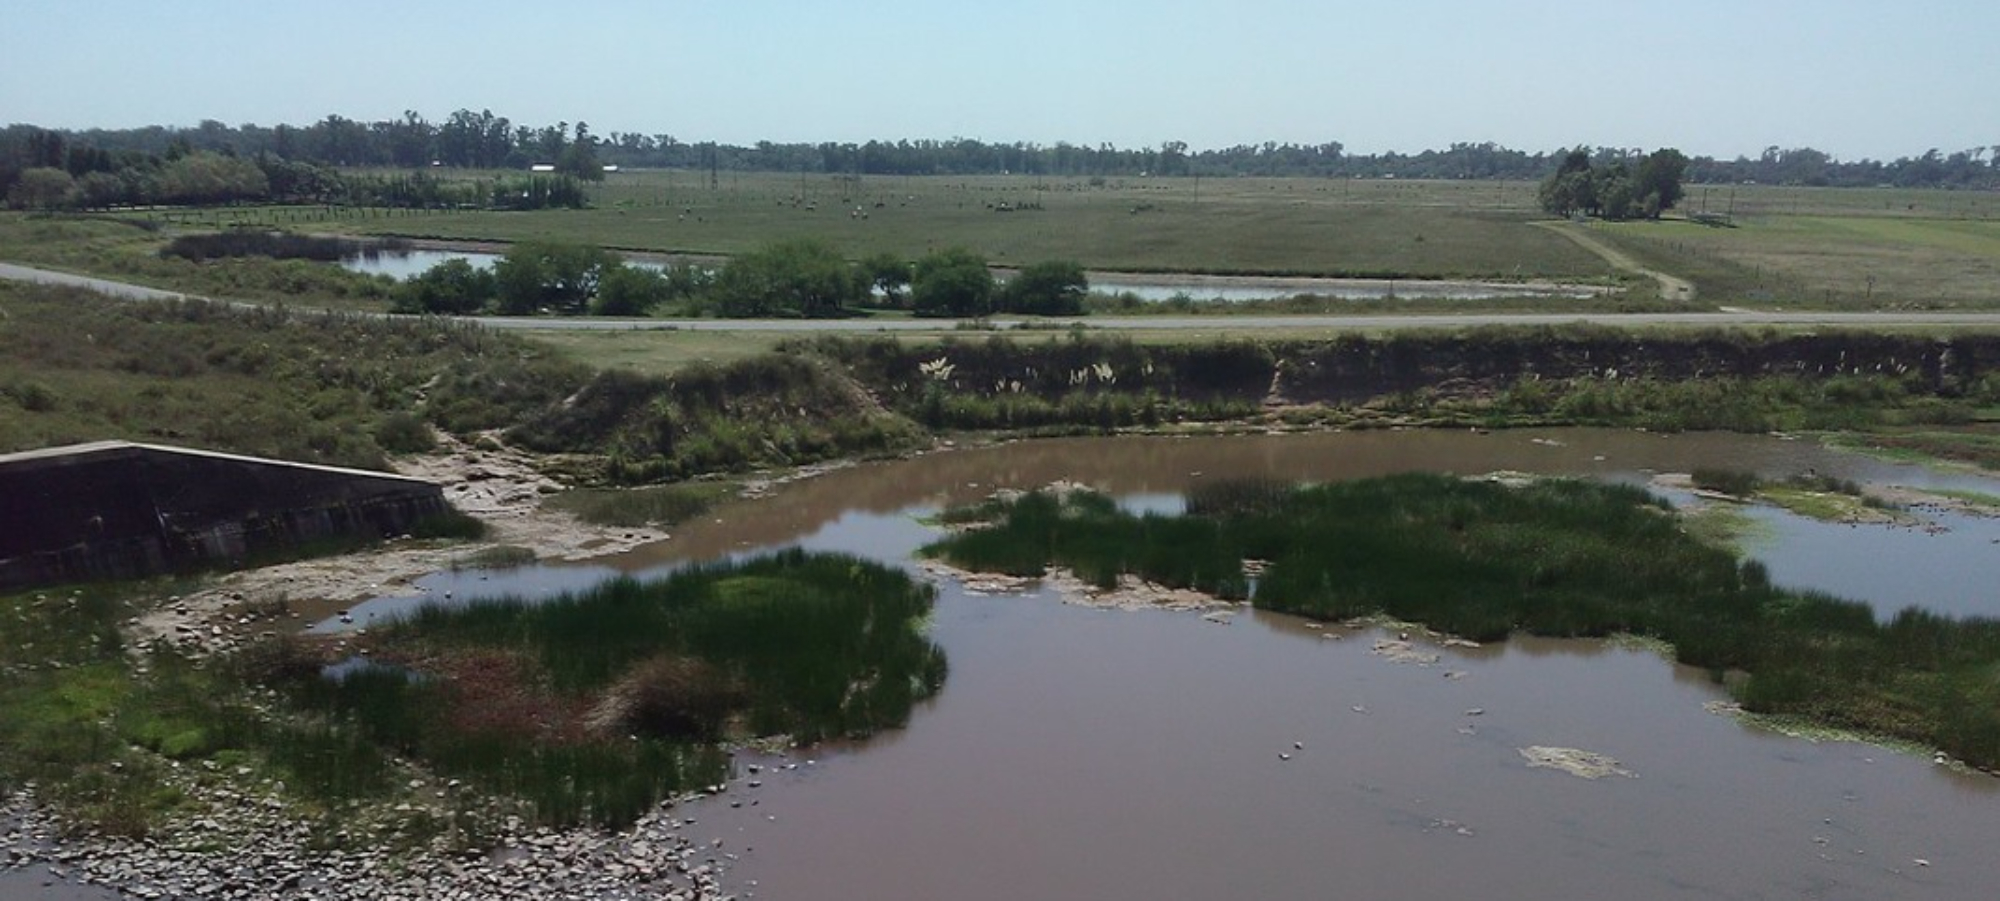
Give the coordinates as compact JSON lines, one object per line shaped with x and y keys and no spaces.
{"x":1141,"y":756}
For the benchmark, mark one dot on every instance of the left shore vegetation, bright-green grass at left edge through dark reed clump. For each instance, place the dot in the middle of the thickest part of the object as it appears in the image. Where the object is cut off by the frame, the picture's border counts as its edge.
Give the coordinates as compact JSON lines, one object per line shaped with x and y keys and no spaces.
{"x":583,"y":710}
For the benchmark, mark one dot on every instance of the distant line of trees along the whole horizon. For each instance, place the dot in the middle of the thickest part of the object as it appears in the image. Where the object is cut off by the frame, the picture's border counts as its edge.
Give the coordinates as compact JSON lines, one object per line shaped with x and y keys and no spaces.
{"x":487,"y":141}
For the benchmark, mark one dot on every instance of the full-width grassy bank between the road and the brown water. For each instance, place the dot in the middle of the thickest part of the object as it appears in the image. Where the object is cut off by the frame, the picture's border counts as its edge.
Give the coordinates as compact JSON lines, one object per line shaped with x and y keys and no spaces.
{"x":293,"y":385}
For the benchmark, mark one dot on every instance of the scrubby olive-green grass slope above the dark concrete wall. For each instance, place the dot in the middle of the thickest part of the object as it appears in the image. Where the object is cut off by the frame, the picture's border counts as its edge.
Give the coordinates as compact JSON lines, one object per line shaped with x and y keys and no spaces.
{"x":317,"y":387}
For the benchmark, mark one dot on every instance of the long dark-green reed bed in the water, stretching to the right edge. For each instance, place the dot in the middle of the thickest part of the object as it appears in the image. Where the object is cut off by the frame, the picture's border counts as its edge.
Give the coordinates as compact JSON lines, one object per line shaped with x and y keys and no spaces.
{"x":1555,"y":558}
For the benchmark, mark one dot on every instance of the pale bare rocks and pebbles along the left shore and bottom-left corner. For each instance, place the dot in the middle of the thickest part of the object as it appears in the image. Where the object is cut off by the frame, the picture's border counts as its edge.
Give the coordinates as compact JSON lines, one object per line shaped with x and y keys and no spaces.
{"x":249,"y":842}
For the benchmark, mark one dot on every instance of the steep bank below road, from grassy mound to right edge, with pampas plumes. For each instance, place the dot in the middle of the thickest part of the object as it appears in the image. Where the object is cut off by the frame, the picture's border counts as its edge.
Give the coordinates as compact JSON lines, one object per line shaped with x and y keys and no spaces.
{"x":841,"y":397}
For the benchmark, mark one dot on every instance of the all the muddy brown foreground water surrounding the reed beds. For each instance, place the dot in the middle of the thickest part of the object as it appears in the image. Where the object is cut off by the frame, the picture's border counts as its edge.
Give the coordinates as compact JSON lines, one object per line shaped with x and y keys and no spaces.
{"x":1137,"y":756}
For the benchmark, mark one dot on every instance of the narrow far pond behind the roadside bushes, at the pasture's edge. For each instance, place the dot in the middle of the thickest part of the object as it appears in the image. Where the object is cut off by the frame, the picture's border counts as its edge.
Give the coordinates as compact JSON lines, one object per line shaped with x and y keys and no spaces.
{"x":1151,"y":289}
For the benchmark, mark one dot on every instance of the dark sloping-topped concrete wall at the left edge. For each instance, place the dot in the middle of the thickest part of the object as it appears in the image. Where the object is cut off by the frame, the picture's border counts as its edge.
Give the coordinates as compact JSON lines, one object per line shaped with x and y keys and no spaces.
{"x":125,"y":512}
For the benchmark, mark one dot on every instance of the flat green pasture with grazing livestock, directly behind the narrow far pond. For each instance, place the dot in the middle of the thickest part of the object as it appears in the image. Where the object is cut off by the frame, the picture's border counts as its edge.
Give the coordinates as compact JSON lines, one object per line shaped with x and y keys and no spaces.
{"x":1237,"y":225}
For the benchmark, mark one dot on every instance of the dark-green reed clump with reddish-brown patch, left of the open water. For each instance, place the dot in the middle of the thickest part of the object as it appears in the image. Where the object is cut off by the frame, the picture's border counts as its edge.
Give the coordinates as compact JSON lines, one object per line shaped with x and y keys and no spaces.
{"x":593,"y":708}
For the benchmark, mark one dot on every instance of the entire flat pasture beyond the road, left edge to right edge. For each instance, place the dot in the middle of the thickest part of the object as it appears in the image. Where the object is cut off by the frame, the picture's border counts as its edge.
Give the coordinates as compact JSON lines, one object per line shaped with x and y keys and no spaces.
{"x":1789,"y":247}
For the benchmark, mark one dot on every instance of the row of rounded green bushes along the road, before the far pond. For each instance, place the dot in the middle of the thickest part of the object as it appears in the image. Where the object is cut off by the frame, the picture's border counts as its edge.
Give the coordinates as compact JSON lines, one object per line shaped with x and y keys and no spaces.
{"x":795,"y":279}
